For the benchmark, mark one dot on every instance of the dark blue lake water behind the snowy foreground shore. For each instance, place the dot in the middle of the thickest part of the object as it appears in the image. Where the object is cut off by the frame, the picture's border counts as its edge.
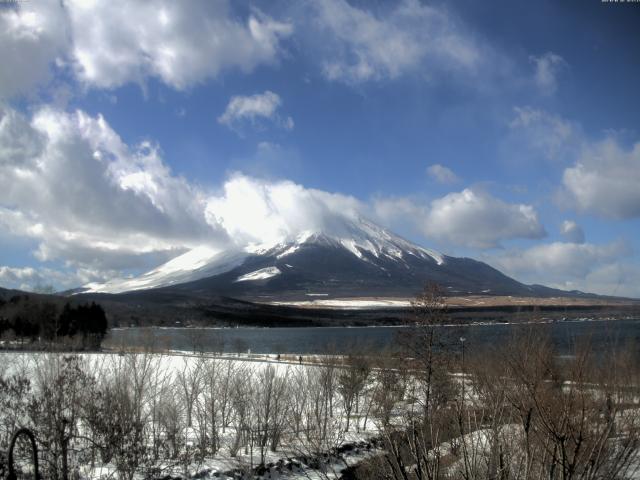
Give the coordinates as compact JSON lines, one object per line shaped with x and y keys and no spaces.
{"x":565,"y":334}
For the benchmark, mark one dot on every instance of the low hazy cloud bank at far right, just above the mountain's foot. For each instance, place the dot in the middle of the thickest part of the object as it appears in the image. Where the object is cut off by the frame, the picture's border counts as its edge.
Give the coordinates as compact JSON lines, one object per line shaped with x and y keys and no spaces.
{"x":572,"y":266}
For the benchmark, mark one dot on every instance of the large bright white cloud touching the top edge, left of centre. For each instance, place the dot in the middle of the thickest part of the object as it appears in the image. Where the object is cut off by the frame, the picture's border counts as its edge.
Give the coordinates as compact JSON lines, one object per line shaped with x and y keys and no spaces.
{"x":181,"y":44}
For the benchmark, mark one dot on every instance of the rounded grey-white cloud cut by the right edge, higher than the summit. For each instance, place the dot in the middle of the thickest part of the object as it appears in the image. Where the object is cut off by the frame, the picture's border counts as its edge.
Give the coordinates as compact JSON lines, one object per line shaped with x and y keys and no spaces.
{"x":604,"y":180}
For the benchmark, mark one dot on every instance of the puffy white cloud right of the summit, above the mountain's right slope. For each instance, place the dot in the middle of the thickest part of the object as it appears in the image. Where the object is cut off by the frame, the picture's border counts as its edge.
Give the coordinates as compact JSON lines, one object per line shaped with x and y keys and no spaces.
{"x":468,"y":218}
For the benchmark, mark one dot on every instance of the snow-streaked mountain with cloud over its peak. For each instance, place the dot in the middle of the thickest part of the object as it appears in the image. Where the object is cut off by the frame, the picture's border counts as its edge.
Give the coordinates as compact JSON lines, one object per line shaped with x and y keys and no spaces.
{"x":355,"y":258}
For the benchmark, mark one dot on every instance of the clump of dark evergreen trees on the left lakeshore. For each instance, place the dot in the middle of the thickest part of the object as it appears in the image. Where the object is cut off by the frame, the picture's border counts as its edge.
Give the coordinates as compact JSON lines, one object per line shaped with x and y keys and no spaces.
{"x":39,"y":321}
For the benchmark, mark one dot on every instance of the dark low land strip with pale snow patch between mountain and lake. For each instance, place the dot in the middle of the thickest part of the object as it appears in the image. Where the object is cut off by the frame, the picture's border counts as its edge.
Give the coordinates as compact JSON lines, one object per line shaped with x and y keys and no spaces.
{"x":156,"y":308}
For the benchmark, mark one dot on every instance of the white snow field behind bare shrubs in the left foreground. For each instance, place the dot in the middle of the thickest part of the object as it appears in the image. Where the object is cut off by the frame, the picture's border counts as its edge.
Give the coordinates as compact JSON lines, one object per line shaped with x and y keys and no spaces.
{"x":260,"y":399}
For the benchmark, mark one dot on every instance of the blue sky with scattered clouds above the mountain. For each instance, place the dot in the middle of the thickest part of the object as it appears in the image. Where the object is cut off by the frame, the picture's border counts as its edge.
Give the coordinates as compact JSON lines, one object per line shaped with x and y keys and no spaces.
{"x":504,"y":131}
